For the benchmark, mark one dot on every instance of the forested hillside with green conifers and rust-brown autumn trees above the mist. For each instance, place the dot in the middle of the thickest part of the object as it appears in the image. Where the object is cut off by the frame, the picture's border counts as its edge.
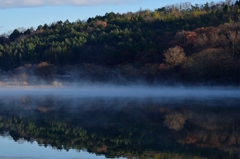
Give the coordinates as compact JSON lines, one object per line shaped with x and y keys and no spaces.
{"x":186,"y":42}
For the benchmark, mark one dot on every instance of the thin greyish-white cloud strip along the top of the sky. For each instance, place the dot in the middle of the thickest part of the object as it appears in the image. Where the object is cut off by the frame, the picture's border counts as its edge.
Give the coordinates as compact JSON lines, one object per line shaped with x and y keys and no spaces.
{"x":36,"y":3}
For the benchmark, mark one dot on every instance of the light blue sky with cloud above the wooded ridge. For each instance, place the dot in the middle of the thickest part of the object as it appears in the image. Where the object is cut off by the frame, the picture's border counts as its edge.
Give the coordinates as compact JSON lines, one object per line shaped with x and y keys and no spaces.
{"x":15,"y":14}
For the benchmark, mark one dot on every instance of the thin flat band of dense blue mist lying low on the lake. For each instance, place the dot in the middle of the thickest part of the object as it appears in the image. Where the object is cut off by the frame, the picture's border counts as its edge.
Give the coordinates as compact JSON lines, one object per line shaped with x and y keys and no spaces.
{"x":136,"y":91}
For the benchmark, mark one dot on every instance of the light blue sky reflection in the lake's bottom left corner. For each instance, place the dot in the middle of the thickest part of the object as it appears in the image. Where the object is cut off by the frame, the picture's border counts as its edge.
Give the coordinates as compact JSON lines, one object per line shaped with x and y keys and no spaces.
{"x":32,"y":150}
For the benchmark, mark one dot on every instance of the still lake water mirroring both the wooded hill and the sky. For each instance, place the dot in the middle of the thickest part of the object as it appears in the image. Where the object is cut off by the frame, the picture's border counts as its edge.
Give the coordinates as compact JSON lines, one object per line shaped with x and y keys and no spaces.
{"x":60,"y":125}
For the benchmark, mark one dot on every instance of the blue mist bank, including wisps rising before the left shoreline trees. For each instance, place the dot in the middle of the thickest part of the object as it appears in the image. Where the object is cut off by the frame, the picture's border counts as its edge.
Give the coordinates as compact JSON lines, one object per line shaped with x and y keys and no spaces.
{"x":71,"y":82}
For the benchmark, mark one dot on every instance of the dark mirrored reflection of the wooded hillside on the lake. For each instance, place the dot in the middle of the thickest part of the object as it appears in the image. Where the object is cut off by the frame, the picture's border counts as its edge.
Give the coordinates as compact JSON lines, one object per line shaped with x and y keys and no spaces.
{"x":146,"y":129}
